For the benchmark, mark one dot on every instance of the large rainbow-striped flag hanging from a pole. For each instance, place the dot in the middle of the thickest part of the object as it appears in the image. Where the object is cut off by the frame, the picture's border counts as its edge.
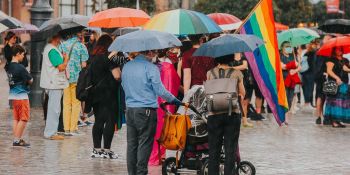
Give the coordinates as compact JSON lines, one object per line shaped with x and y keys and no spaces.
{"x":265,"y":61}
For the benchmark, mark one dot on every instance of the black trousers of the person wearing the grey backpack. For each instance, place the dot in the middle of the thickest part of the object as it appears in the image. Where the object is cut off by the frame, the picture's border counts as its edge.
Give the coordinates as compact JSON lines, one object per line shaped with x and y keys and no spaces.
{"x":223,"y":128}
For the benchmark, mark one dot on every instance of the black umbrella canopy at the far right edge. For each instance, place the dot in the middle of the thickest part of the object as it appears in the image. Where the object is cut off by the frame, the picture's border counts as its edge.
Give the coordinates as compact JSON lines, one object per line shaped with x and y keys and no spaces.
{"x":336,"y":26}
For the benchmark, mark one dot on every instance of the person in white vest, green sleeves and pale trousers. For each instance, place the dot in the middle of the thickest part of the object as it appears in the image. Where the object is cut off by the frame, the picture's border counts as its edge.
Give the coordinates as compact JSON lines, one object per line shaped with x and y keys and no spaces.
{"x":53,"y":80}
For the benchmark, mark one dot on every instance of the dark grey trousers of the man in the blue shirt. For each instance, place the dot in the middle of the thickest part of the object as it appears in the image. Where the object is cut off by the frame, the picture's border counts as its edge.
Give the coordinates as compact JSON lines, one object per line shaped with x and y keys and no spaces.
{"x":141,"y":128}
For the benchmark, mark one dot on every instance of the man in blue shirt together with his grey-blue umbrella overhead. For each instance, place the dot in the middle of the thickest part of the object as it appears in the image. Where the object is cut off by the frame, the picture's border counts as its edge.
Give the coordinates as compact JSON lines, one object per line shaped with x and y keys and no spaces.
{"x":142,"y":85}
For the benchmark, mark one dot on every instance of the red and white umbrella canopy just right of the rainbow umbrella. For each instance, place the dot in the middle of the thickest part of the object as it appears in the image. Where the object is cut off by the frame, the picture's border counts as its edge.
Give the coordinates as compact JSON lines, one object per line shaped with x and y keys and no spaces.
{"x":225,"y":21}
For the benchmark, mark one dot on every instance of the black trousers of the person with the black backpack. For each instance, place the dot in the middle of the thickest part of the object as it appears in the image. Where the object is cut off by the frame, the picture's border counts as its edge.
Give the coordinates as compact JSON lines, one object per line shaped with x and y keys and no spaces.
{"x":104,"y":125}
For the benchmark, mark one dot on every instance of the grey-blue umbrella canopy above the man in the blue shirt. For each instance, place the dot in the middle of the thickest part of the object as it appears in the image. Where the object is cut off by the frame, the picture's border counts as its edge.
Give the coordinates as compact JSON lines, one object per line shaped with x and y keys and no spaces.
{"x":144,"y":40}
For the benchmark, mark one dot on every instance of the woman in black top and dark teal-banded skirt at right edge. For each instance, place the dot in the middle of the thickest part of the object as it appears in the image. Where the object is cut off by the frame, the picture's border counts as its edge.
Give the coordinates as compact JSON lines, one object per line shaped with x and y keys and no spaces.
{"x":337,"y":106}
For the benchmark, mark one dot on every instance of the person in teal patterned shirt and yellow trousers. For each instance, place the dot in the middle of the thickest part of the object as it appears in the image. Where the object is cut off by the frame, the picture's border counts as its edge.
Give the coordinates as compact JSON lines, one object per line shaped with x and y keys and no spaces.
{"x":78,"y":56}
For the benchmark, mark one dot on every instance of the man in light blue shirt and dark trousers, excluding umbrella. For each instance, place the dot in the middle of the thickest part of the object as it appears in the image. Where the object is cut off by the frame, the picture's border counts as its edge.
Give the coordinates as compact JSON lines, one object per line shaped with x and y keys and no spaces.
{"x":142,"y":84}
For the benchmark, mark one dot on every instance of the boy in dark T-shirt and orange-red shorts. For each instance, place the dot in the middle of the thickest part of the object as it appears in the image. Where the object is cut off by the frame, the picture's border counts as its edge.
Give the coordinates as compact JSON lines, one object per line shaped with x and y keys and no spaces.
{"x":19,"y":79}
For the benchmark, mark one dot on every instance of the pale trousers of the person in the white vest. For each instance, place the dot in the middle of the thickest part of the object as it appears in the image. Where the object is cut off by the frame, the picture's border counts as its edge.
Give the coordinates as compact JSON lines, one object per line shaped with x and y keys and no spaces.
{"x":53,"y":112}
